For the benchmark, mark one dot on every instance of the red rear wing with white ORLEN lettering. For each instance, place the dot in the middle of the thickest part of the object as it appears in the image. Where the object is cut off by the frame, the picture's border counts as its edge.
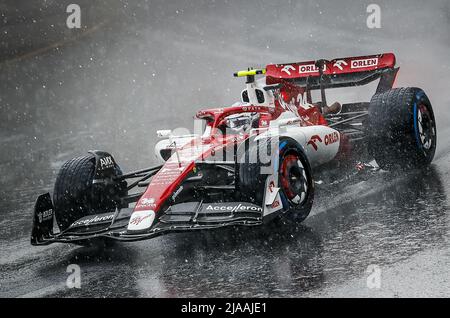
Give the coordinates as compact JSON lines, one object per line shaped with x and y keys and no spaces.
{"x":341,"y":72}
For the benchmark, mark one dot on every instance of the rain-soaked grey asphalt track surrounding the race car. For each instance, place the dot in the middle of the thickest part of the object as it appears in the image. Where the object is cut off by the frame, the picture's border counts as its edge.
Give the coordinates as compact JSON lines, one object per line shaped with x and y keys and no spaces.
{"x":139,"y":68}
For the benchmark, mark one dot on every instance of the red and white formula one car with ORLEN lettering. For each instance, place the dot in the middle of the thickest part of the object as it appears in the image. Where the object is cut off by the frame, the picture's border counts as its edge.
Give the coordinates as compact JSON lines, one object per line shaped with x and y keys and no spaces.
{"x":251,"y":163}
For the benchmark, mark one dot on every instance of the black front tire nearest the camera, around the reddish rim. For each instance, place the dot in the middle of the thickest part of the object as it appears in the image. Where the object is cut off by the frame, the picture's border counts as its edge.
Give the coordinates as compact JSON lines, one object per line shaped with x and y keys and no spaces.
{"x":252,"y":182}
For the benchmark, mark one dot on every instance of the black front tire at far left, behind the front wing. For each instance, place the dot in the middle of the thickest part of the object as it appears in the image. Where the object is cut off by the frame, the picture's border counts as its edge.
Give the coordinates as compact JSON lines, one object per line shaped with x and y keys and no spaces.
{"x":74,"y":195}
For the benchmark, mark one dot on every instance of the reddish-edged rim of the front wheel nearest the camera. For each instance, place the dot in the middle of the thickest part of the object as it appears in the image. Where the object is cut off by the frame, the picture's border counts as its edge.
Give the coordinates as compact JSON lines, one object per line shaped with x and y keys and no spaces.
{"x":294,"y":179}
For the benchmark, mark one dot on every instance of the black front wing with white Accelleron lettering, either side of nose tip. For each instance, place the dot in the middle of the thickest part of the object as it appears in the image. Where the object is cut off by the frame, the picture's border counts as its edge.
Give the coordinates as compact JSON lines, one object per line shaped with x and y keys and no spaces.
{"x":113,"y":224}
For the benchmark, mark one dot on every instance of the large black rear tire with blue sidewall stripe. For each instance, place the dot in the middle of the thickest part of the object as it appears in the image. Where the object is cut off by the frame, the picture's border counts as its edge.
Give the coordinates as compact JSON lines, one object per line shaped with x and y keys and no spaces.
{"x":401,"y":129}
